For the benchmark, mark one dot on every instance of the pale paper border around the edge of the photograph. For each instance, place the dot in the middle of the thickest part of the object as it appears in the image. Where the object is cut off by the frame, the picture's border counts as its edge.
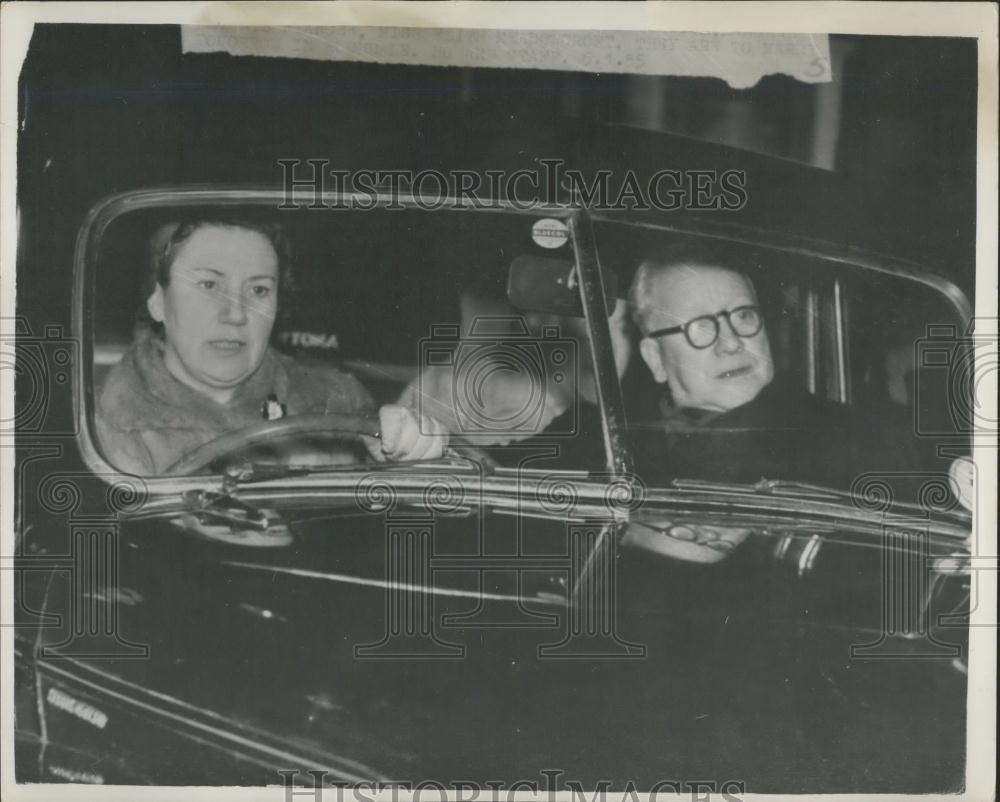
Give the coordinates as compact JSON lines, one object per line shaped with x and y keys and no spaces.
{"x":977,"y":20}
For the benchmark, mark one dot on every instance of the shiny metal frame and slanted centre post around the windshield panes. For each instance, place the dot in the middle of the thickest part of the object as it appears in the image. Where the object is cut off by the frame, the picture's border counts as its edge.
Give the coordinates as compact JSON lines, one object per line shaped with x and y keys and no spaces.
{"x":580,"y":222}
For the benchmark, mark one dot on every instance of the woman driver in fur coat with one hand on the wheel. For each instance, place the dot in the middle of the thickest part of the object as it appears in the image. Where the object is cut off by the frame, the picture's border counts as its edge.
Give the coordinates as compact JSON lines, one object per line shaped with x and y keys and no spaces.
{"x":201,"y":365}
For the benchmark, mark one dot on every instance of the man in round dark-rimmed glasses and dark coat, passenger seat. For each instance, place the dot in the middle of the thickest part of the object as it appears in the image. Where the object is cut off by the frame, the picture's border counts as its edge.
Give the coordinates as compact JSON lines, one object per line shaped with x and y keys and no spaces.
{"x":723,"y":415}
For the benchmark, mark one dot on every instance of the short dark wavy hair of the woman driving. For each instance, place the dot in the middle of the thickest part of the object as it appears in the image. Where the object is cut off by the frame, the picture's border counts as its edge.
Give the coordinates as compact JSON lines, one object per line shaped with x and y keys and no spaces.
{"x":168,"y":239}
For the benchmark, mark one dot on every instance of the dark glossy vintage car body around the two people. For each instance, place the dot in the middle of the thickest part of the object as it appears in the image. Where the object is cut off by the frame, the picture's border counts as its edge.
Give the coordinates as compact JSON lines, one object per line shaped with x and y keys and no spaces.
{"x":459,"y":619}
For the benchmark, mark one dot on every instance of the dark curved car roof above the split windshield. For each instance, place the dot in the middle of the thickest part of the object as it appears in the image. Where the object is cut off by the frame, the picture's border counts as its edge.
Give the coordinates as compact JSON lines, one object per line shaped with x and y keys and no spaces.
{"x":237,"y":138}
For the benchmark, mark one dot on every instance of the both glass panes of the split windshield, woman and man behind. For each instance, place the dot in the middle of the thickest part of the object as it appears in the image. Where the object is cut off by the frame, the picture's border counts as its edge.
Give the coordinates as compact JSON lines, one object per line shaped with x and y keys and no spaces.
{"x":472,"y":318}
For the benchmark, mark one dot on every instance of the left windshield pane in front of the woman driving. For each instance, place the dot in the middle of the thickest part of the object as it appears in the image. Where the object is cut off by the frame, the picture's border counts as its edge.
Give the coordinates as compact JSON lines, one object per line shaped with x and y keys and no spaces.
{"x":348,"y":312}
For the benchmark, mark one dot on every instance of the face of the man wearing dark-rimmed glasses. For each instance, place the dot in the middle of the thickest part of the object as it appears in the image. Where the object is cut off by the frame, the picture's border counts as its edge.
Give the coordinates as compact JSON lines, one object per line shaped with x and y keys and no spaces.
{"x":728,"y":373}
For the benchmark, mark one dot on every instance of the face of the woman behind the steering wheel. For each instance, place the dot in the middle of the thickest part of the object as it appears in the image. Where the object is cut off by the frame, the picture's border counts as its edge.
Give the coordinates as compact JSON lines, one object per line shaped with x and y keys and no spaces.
{"x":218,"y":308}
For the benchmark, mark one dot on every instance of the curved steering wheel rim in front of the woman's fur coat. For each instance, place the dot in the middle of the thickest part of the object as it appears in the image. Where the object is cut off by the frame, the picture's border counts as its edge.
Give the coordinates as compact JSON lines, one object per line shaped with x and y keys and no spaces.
{"x":349,"y":429}
